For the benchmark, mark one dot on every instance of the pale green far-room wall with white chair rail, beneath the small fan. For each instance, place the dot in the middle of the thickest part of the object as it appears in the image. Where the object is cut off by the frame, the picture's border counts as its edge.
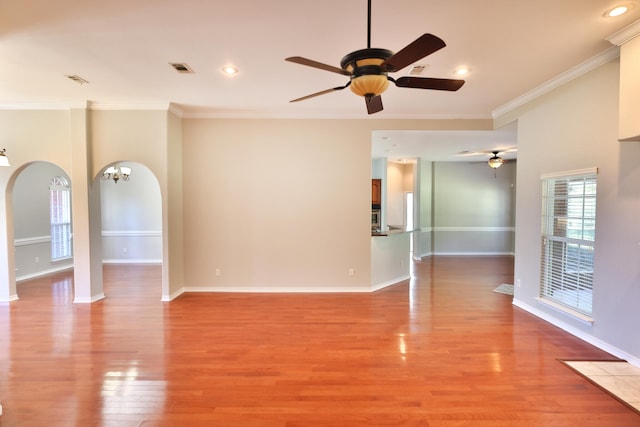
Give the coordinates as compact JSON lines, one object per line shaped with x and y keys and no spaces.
{"x":466,"y":209}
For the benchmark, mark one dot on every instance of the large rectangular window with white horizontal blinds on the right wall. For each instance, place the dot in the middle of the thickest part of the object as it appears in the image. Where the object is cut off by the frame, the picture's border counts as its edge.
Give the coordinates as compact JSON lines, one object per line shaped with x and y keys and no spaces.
{"x":568,"y":239}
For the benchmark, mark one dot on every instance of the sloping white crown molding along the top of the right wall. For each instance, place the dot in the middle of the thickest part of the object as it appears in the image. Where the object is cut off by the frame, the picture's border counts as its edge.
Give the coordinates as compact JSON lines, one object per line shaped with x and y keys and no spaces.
{"x":562,"y":79}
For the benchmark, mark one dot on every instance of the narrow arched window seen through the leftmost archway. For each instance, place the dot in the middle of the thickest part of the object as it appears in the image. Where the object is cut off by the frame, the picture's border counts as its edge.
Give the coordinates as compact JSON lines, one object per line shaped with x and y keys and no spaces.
{"x":60,"y":218}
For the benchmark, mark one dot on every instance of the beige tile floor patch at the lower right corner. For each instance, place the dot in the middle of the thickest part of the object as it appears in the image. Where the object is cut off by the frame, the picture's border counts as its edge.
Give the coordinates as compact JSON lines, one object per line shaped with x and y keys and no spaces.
{"x":618,"y":378}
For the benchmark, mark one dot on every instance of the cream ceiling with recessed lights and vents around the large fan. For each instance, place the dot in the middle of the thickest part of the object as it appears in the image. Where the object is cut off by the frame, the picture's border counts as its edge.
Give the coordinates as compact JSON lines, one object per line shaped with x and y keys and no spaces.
{"x":123,"y":50}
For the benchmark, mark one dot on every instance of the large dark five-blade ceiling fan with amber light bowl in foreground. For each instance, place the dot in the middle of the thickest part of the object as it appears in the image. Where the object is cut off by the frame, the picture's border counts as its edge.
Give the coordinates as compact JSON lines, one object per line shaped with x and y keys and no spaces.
{"x":368,"y":69}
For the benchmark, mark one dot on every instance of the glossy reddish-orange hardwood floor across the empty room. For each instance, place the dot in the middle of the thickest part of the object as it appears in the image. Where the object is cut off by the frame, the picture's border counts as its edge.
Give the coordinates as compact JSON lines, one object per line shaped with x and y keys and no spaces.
{"x":439,"y":350}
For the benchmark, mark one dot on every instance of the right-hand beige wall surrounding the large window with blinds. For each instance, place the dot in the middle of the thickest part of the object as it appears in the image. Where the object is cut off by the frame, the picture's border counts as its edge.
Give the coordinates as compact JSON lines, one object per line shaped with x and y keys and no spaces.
{"x":571,"y":128}
